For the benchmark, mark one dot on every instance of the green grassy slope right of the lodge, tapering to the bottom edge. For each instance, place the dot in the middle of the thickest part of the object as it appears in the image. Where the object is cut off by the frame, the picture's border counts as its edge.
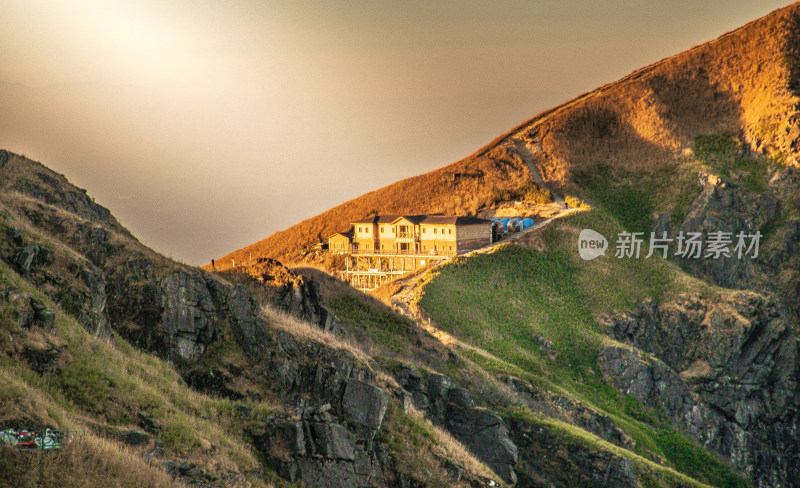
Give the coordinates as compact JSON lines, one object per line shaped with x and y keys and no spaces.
{"x":511,"y":301}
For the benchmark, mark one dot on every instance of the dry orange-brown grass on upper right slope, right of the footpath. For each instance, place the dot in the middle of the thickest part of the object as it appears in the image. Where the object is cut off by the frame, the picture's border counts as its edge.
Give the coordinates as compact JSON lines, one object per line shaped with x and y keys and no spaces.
{"x":739,"y":84}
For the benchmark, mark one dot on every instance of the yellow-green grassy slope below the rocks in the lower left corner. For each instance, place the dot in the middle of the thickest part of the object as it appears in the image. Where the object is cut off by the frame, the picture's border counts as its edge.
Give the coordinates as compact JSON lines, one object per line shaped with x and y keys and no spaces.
{"x":101,"y":383}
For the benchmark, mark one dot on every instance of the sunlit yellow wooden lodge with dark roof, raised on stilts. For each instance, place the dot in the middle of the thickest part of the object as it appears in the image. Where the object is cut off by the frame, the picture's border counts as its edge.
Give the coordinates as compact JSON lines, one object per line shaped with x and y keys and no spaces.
{"x":382,"y":248}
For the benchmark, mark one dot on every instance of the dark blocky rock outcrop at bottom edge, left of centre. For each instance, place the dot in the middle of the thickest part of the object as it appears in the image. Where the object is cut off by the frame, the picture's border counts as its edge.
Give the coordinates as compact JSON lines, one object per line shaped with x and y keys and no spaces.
{"x":332,"y":444}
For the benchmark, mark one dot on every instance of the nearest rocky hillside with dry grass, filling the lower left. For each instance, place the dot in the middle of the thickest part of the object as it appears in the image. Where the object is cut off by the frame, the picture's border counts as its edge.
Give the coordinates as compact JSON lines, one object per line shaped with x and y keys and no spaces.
{"x":170,"y":375}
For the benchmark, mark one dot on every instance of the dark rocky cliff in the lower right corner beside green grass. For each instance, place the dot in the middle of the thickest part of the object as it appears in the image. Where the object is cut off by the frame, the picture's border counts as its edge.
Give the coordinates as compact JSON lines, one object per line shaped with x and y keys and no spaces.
{"x":724,"y":369}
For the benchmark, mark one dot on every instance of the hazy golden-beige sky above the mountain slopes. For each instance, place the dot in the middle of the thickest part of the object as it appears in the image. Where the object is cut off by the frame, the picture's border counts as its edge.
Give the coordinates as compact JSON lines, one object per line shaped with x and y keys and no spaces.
{"x":206,"y":125}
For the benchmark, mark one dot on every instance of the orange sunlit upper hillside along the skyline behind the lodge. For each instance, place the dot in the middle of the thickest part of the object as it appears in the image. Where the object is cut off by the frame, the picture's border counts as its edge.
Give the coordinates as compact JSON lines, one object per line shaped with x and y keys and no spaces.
{"x":743,"y":83}
